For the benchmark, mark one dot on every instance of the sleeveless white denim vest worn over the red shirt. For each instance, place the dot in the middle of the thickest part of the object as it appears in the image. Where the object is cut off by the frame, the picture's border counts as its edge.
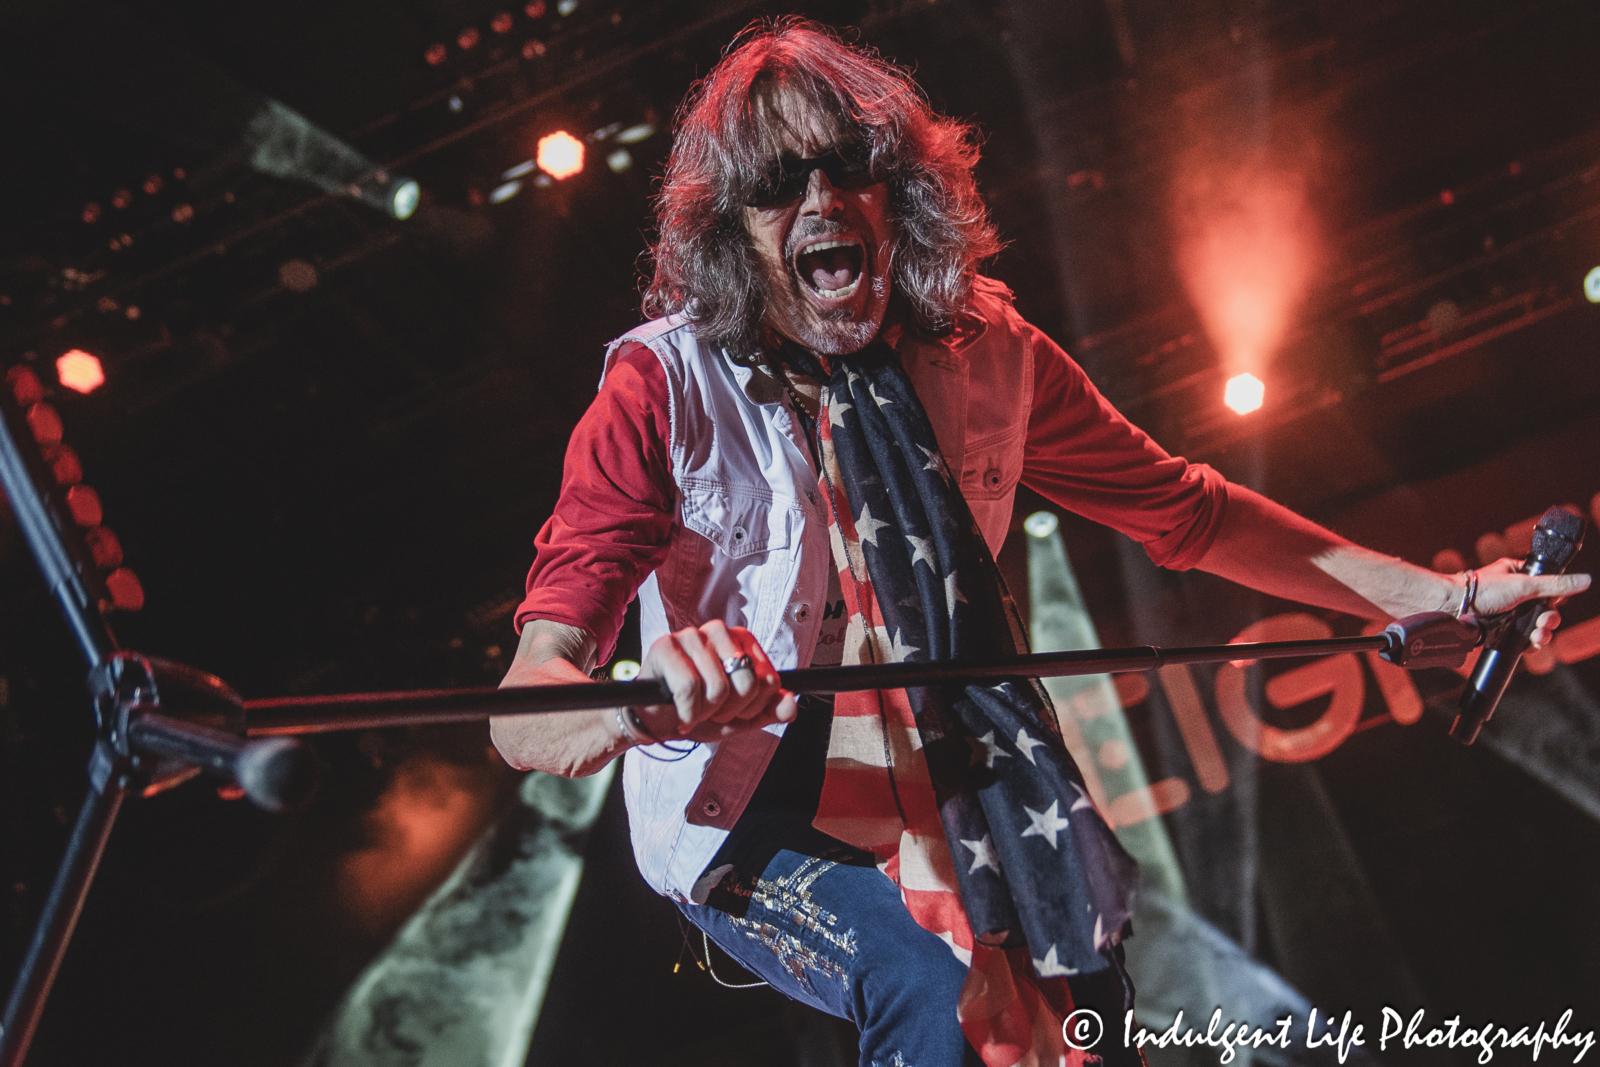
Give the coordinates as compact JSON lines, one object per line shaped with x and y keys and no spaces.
{"x":751,"y":541}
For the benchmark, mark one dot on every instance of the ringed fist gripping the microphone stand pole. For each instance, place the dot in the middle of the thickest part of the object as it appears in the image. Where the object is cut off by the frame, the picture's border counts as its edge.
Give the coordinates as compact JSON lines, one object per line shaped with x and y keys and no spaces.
{"x":710,"y":705}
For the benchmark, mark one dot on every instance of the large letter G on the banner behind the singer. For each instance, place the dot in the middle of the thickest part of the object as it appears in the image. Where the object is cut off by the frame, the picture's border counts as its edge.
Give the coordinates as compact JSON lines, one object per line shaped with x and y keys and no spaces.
{"x":1340,"y":676}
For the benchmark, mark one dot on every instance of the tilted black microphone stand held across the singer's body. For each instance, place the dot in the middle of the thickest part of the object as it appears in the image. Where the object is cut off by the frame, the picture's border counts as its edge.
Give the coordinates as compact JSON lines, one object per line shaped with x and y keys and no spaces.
{"x":161,"y":722}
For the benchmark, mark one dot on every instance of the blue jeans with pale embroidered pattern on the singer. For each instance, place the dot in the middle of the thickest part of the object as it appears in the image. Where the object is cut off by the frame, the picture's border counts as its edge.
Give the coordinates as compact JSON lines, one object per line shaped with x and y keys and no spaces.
{"x":823,"y":925}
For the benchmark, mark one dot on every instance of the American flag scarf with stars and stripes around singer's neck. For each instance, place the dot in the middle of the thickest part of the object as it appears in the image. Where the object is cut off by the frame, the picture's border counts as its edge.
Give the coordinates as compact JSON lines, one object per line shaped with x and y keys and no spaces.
{"x":966,"y":793}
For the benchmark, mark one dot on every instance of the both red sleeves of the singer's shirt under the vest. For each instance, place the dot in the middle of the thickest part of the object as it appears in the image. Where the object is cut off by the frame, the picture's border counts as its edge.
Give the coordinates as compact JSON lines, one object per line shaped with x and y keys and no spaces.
{"x":615,"y":516}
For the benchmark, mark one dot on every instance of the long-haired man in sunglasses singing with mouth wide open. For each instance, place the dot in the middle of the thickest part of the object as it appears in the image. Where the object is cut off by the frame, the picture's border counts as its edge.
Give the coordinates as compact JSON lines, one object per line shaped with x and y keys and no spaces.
{"x":812,"y":460}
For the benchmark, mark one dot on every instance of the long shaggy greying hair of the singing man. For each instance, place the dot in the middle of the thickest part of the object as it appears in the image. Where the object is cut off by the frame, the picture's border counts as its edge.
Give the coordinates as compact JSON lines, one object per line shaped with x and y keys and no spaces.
{"x":729,"y":134}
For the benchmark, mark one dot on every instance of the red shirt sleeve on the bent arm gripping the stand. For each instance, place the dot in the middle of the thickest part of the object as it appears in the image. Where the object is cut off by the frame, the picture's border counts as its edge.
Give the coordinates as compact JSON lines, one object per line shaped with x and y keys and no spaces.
{"x":614,"y":521}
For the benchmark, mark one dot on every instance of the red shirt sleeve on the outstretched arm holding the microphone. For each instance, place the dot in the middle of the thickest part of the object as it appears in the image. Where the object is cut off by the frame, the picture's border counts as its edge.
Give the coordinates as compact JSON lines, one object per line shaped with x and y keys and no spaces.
{"x":1087,"y":458}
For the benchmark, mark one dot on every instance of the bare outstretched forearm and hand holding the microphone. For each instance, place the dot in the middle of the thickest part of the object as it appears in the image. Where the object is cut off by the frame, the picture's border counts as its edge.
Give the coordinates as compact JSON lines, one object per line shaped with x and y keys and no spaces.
{"x":1270,"y":548}
